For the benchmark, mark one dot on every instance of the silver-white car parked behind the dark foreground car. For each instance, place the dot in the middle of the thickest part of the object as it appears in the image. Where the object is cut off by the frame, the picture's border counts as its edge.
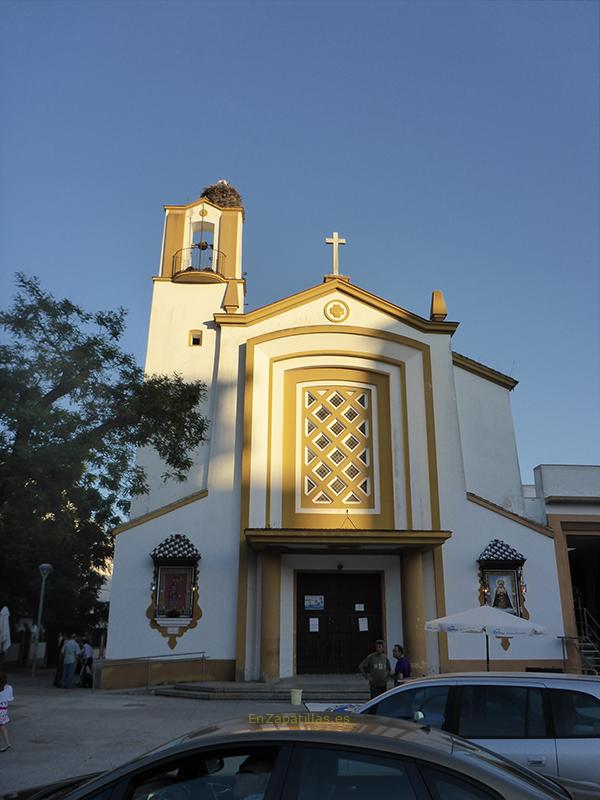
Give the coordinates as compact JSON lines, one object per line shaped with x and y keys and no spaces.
{"x":548,"y":722}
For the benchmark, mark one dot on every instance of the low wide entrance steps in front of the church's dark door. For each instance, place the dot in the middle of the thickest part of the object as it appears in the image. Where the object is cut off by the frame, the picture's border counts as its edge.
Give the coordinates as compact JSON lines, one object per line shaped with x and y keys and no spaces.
{"x":344,"y":690}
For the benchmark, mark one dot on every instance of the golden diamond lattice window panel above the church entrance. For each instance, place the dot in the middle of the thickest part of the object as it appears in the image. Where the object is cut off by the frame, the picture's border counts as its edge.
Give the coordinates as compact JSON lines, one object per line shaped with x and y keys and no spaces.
{"x":337,"y":447}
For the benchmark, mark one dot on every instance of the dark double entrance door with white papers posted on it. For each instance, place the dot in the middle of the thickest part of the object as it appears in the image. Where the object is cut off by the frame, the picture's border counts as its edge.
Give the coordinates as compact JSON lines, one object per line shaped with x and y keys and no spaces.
{"x":338,"y":619}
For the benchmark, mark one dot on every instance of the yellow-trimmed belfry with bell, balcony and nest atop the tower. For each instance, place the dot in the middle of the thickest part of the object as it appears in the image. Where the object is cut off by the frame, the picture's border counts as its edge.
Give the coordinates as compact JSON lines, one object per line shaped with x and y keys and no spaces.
{"x":202,"y":243}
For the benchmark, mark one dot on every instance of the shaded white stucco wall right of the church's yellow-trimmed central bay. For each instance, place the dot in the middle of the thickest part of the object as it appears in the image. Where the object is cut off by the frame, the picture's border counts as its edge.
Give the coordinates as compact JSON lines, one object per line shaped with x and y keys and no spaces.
{"x":466,"y":423}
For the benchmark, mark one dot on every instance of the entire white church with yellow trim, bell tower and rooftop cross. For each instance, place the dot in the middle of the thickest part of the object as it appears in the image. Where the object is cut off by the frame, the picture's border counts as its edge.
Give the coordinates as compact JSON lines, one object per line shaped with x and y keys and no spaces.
{"x":360,"y":478}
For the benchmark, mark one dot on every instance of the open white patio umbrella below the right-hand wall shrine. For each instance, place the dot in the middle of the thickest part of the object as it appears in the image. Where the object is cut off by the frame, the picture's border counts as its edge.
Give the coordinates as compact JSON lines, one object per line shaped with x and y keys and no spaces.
{"x":488,"y":620}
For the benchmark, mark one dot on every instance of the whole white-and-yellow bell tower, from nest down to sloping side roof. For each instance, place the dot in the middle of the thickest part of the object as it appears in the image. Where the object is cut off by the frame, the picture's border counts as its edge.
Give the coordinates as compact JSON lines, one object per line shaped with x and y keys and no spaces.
{"x":200,"y":275}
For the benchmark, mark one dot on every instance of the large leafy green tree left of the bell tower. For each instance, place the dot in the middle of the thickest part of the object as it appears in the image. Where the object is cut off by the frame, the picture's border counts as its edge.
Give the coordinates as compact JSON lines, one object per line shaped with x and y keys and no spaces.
{"x":73,"y":410}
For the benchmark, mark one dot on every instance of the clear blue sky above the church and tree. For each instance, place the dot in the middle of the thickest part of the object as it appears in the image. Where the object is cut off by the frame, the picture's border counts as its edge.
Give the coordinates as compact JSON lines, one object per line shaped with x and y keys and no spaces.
{"x":453,"y":144}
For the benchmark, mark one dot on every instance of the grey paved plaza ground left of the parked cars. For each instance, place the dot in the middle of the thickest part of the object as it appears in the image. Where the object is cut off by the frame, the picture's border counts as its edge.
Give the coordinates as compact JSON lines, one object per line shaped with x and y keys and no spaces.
{"x":57,"y":733}
